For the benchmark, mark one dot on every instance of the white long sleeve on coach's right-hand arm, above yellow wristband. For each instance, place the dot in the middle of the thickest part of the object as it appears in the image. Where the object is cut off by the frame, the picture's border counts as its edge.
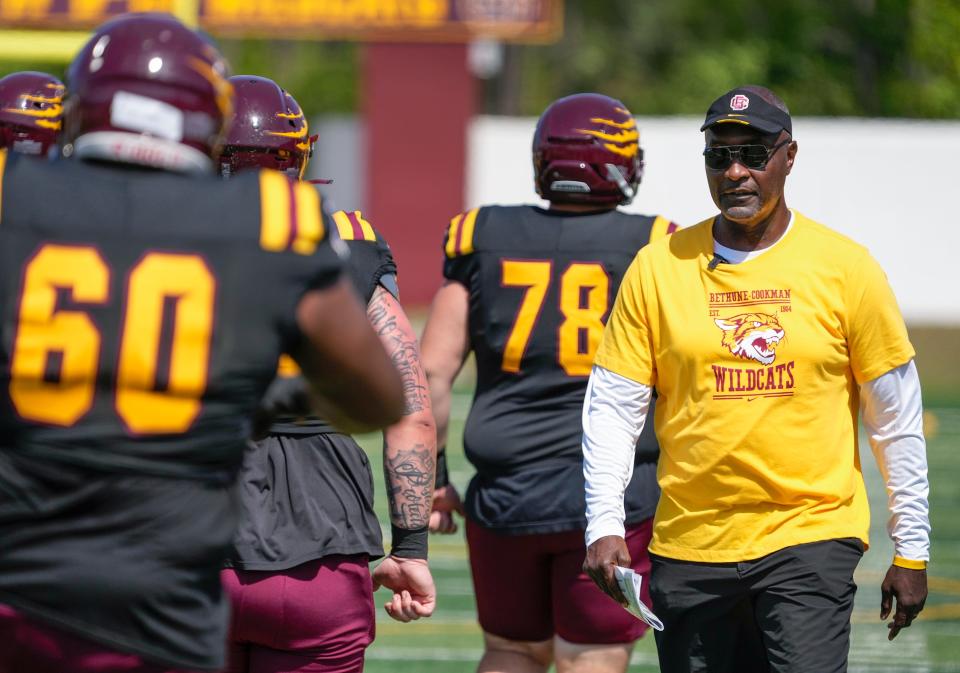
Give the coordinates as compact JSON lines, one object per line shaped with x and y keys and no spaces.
{"x":892,"y":413}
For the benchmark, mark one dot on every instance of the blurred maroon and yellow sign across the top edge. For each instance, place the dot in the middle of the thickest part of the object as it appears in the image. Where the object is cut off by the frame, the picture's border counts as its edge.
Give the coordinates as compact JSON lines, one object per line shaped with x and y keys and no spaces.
{"x":400,"y":20}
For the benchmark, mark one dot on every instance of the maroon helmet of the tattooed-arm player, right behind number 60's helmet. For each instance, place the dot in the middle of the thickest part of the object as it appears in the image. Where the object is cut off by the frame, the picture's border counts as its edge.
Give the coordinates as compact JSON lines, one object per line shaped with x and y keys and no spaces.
{"x":269,"y":130}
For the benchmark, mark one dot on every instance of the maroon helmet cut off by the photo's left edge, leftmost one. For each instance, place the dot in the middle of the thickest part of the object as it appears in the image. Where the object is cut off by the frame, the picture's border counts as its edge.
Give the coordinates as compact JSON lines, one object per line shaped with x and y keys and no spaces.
{"x":30,"y":111}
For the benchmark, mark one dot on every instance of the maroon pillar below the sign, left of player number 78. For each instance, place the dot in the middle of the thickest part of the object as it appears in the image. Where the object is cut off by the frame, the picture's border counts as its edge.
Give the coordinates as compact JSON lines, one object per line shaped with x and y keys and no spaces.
{"x":417,"y":101}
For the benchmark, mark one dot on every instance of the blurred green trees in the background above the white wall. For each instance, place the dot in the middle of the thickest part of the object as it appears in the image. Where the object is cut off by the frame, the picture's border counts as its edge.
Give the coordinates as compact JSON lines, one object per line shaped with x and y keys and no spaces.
{"x":878,"y":58}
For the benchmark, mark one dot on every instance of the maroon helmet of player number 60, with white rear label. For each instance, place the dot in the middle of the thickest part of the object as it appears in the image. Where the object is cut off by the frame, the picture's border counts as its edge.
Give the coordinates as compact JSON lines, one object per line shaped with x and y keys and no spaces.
{"x":148,"y":90}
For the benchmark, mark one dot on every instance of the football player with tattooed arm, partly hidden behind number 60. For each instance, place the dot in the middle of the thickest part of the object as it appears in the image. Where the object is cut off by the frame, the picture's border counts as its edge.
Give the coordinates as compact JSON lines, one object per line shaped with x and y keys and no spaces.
{"x":307,"y":526}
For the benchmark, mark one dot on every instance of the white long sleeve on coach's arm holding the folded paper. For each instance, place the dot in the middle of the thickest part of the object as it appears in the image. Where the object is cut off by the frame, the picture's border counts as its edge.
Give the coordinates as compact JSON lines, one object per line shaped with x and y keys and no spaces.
{"x":614,"y":412}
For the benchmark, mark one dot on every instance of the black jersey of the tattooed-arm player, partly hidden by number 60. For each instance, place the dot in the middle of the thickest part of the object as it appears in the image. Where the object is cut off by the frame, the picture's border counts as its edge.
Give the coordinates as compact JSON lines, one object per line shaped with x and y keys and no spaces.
{"x":306,"y":491}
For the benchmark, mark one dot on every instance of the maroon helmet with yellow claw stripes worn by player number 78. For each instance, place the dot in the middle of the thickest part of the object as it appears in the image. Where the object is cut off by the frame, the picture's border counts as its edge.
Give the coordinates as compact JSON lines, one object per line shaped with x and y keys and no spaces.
{"x":586,"y":150}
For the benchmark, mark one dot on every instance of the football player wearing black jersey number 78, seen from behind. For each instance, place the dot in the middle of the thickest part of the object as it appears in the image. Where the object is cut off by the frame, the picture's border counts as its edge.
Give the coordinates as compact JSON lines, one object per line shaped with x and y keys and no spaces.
{"x":527,"y":290}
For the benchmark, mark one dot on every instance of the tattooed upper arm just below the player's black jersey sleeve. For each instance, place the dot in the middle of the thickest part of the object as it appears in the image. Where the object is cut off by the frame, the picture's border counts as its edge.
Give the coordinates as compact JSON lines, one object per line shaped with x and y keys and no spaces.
{"x":402,"y":348}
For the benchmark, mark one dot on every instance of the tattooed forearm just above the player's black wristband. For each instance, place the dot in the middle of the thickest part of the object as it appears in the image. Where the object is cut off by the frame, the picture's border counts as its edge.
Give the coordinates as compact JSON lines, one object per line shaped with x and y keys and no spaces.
{"x":409,"y":474}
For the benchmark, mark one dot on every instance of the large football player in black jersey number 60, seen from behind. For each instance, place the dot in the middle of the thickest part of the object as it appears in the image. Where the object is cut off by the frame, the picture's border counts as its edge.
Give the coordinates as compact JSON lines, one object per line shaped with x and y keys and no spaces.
{"x":144,"y":304}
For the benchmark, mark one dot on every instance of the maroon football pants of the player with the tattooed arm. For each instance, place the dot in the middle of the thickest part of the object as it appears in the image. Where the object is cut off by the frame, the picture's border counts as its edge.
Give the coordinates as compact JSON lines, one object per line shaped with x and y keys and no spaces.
{"x":315,"y":618}
